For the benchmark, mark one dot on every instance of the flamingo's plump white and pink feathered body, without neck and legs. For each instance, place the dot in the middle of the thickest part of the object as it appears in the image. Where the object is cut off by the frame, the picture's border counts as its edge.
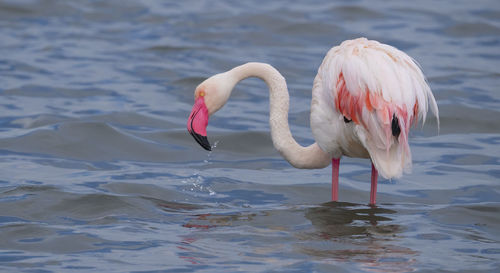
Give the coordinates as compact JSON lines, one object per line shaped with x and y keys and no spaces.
{"x":378,"y":87}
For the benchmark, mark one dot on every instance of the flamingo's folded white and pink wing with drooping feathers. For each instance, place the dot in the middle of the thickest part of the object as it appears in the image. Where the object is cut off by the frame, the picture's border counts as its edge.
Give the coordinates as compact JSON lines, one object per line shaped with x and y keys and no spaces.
{"x":371,"y":83}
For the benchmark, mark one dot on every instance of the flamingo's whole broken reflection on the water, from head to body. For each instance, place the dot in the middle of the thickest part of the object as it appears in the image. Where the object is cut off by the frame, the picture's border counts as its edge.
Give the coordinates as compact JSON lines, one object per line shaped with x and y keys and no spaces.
{"x":336,"y":232}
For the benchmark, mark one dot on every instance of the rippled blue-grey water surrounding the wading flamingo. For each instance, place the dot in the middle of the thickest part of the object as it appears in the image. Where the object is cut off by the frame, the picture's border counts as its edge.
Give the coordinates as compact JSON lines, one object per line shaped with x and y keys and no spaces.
{"x":98,"y":172}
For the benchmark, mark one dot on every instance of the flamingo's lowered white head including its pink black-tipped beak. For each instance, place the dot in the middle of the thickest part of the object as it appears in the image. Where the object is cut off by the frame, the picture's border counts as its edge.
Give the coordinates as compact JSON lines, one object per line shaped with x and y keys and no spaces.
{"x":209,"y":97}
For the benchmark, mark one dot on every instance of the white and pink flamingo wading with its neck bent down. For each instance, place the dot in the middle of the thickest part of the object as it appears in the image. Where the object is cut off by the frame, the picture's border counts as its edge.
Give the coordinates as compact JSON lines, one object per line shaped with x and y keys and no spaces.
{"x":365,"y":97}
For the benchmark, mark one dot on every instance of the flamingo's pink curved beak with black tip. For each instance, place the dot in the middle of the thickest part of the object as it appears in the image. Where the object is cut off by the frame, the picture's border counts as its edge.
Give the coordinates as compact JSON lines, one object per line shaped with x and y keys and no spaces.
{"x":197,"y":123}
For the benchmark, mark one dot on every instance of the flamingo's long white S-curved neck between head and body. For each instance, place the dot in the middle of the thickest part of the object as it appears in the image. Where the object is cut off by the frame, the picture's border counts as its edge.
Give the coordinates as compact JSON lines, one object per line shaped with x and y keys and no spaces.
{"x":300,"y":157}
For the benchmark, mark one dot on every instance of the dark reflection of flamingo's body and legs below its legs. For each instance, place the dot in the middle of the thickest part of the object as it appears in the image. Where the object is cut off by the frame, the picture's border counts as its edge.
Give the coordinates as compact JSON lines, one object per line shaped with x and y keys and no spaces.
{"x":356,"y":233}
